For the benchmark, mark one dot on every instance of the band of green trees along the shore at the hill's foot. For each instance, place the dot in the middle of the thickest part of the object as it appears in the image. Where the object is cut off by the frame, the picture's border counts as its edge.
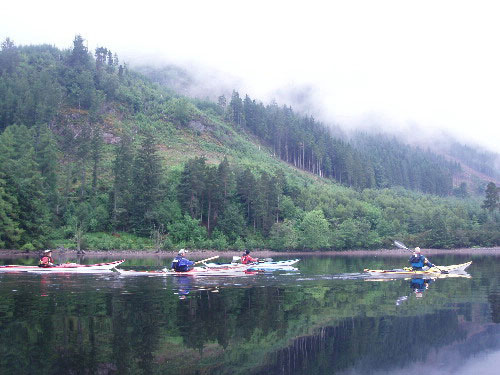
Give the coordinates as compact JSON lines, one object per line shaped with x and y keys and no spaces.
{"x":222,"y":206}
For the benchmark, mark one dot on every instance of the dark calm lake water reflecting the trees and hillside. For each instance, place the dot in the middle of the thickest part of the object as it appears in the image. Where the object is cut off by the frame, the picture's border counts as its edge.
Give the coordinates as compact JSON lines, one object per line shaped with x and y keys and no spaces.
{"x":327,"y":318}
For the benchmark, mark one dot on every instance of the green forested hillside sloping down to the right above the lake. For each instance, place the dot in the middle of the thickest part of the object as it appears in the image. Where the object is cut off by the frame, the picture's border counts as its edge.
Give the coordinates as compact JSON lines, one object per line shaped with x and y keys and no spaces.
{"x":95,"y":155}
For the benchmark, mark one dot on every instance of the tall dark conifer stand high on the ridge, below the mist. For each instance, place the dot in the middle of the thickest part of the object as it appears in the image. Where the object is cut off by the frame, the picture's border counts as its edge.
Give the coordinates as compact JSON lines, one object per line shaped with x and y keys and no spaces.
{"x":364,"y":162}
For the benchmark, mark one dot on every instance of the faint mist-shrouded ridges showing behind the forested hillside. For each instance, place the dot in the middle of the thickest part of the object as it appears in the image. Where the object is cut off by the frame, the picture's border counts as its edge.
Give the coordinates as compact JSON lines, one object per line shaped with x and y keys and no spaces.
{"x":203,"y":83}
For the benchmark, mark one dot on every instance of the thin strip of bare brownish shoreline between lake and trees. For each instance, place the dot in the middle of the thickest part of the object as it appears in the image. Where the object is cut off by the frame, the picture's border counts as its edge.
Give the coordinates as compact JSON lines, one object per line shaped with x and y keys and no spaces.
{"x":201,"y":254}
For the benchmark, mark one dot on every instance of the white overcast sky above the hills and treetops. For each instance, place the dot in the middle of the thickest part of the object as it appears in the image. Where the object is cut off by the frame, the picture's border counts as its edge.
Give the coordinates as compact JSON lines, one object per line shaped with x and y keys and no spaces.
{"x":397,"y":63}
